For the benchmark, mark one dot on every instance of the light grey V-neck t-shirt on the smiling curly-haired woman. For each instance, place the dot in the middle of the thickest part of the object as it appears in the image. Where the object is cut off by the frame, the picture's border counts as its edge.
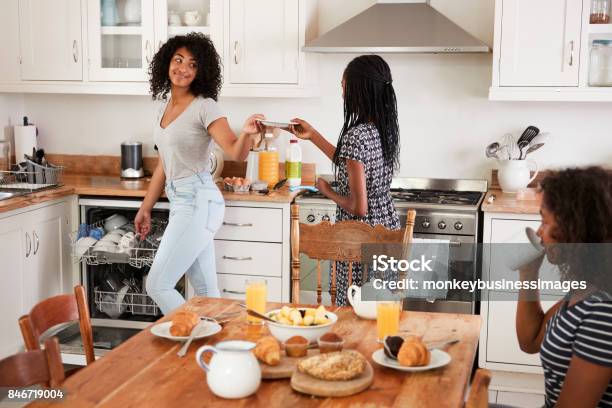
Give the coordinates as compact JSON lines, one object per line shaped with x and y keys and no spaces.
{"x":184,"y":145}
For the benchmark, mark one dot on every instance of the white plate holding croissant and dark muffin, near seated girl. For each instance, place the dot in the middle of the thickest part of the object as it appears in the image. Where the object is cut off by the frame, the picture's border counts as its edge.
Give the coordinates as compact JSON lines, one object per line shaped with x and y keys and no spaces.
{"x":410,"y":354}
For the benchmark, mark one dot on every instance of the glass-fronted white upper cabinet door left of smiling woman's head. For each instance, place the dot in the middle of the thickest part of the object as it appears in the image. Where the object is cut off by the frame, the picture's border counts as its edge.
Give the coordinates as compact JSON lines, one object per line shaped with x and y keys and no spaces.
{"x":121,"y":39}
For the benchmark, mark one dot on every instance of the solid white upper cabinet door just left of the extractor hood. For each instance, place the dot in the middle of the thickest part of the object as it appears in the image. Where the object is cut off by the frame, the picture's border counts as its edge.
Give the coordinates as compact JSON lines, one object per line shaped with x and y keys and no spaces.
{"x":264,"y":41}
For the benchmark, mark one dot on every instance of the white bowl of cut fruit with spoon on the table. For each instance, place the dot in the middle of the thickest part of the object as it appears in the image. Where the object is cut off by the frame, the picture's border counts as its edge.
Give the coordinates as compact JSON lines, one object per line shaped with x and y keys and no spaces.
{"x":307,"y":322}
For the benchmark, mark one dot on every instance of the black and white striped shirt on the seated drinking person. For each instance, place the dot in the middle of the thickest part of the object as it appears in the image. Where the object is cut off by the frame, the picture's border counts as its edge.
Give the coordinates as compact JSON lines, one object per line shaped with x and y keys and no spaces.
{"x":583,"y":329}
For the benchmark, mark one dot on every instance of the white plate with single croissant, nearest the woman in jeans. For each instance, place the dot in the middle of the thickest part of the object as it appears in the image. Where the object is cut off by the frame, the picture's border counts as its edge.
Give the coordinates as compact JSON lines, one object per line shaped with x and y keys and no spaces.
{"x":179,"y":328}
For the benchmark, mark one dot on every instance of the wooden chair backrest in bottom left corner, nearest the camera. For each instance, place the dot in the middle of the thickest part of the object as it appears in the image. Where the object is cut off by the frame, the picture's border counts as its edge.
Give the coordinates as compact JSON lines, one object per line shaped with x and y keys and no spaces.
{"x":33,"y":367}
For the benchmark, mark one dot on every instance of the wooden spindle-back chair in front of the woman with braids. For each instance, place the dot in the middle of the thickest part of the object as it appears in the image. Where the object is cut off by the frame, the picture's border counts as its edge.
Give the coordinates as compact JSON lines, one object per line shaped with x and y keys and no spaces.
{"x":337,"y":242}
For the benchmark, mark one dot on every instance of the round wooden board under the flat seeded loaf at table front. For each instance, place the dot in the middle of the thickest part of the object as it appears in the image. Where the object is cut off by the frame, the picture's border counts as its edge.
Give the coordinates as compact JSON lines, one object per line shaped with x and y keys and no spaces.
{"x":308,"y":384}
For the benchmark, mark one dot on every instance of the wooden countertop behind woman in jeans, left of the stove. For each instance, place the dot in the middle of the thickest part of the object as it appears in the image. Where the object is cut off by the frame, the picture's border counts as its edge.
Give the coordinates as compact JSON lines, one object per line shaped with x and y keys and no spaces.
{"x":112,"y":186}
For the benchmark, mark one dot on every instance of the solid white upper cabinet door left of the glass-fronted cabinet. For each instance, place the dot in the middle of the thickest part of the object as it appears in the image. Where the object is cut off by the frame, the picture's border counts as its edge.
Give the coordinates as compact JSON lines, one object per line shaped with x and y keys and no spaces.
{"x":50,"y":40}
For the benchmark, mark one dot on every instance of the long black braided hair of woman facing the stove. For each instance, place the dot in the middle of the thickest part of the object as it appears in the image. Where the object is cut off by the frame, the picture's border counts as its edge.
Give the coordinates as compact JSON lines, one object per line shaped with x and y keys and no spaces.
{"x":369,"y":98}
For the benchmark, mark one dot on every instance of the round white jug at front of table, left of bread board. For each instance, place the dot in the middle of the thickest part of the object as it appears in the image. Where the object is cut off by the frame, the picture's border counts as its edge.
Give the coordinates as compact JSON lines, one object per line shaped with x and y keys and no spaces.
{"x":233,"y":371}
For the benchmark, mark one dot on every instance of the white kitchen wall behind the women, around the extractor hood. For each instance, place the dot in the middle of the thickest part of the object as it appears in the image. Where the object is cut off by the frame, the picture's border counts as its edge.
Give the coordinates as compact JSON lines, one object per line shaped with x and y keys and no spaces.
{"x":445,"y":117}
